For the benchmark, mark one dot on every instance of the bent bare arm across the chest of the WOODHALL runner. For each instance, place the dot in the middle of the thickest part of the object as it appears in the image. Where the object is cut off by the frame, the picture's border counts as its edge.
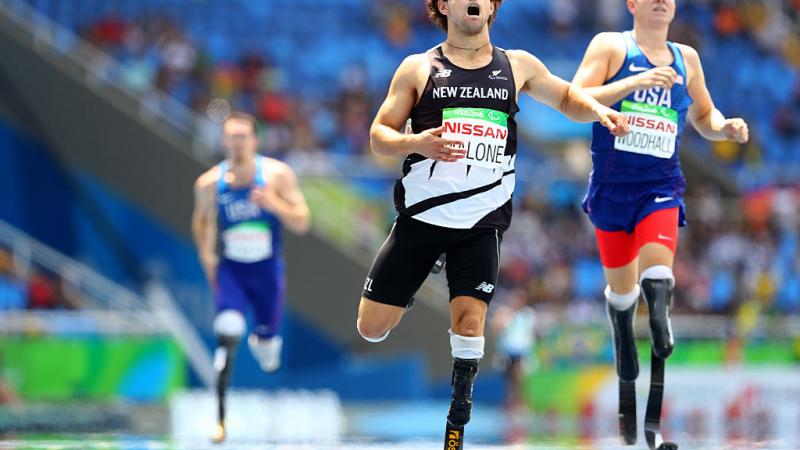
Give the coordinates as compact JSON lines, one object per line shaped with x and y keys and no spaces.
{"x":604,"y":54}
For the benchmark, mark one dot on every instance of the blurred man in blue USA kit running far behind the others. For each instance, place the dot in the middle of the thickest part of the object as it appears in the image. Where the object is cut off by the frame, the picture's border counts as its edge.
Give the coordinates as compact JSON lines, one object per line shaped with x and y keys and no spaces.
{"x":245,"y":200}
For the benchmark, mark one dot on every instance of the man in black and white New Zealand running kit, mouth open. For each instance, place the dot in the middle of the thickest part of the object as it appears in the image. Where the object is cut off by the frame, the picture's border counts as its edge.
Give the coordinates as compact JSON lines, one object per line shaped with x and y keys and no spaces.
{"x":458,"y":176}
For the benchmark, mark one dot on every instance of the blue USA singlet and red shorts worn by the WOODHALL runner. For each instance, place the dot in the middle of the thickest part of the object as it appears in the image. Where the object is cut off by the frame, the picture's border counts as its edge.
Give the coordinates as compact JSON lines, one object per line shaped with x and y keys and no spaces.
{"x":636,"y":187}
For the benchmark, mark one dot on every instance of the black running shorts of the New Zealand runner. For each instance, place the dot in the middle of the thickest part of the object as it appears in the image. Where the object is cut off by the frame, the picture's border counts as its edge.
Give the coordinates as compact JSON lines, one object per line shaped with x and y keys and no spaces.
{"x":407,"y":256}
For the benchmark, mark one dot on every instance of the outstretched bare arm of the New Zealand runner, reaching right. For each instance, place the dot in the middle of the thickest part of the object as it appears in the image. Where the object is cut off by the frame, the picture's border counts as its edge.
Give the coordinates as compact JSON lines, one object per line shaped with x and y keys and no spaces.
{"x":571,"y":100}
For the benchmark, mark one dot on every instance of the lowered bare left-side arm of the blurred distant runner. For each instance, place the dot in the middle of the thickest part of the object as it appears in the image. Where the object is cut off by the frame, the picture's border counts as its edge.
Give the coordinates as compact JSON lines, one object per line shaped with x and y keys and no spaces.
{"x":204,"y":223}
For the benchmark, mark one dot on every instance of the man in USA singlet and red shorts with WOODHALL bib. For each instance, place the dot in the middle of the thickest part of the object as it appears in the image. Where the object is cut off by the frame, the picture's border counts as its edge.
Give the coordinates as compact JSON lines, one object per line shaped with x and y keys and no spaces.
{"x":635,"y":196}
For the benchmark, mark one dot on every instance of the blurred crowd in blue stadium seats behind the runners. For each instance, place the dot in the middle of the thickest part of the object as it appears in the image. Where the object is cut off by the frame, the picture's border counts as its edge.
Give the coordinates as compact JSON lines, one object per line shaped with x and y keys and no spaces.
{"x":316,"y":85}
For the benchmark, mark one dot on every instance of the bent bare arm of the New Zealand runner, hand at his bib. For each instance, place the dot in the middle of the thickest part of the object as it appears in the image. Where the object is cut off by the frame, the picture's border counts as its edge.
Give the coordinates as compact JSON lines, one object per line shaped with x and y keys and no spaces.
{"x":385,"y":135}
